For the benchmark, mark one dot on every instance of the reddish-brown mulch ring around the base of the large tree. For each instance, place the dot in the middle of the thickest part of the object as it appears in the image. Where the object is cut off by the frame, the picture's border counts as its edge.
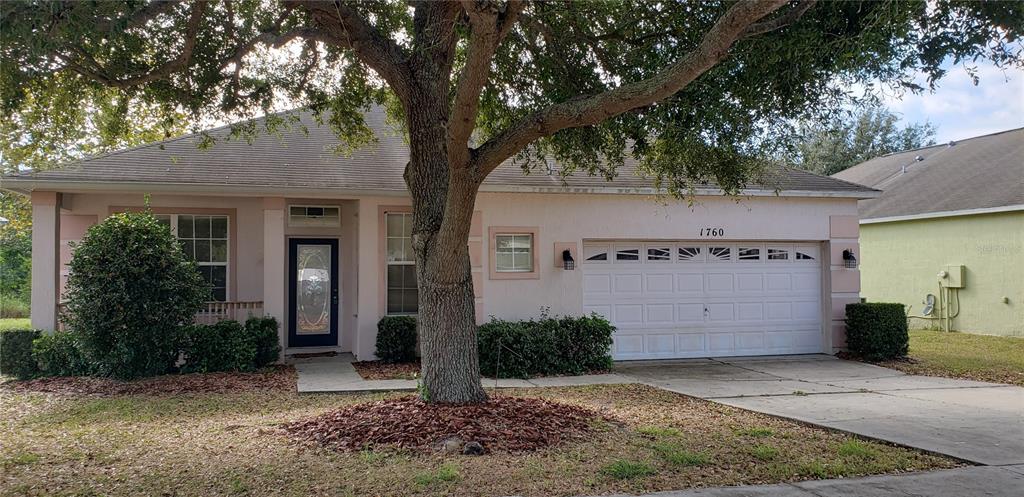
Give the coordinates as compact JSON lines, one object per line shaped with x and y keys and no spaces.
{"x":502,"y":425}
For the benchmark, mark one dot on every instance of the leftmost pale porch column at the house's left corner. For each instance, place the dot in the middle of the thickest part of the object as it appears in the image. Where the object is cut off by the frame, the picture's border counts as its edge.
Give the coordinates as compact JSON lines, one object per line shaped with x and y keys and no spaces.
{"x":46,"y":260}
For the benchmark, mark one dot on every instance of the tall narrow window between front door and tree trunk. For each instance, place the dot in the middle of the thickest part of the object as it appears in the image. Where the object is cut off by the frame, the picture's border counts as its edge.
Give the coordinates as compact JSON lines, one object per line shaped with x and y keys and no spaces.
{"x":403,"y":294}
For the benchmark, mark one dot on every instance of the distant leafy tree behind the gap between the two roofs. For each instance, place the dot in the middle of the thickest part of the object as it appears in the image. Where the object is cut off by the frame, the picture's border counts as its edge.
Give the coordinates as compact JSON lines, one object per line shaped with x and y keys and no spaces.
{"x":828,"y":148}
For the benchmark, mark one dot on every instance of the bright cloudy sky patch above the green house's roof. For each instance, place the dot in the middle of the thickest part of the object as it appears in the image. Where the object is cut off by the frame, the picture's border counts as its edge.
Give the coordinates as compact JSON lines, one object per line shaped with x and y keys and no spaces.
{"x":961,"y":110}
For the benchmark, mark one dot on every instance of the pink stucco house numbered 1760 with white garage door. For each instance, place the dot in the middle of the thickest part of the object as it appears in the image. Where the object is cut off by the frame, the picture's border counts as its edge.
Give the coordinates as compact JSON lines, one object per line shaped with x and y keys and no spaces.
{"x":284,"y":227}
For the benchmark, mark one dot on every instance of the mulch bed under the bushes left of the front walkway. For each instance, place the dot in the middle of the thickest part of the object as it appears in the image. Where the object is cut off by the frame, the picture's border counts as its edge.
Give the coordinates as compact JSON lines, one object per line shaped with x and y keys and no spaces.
{"x":278,"y":379}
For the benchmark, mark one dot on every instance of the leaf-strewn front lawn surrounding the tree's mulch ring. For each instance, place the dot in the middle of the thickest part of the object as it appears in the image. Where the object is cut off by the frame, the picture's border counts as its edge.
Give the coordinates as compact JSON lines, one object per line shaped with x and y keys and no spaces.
{"x":232,"y":444}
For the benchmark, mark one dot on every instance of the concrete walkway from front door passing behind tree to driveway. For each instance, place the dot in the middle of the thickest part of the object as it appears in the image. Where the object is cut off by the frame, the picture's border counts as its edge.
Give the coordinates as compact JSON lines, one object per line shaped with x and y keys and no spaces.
{"x":337,"y":376}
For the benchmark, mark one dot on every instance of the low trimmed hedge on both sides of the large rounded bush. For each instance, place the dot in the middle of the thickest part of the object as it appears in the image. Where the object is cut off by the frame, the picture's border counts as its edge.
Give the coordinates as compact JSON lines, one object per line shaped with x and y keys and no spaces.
{"x":228,"y":346}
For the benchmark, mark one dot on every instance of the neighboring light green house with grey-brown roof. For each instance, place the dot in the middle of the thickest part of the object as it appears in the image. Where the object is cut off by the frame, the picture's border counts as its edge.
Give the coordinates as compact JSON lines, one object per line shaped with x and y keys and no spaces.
{"x":944,"y":208}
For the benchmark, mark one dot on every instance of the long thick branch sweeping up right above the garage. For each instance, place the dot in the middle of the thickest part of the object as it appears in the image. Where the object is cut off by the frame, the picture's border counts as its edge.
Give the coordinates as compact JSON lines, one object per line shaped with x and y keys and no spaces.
{"x":591,"y":110}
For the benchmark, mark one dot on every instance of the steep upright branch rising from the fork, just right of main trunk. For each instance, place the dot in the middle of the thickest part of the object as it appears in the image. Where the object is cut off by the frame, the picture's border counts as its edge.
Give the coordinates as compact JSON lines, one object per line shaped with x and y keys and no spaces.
{"x":489,"y":27}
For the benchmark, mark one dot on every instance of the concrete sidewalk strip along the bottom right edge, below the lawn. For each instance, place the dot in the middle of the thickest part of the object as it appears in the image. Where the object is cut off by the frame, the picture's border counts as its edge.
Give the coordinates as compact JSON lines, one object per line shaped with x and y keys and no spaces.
{"x":965,"y":482}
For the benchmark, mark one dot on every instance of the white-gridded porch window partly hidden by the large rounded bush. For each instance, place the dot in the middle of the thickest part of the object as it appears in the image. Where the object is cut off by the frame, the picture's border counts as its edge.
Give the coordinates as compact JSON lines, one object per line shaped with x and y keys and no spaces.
{"x":205,"y":239}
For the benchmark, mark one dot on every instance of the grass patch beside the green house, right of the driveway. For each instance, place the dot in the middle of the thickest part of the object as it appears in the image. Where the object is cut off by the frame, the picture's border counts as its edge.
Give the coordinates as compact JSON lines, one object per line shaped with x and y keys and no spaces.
{"x":954,"y":355}
